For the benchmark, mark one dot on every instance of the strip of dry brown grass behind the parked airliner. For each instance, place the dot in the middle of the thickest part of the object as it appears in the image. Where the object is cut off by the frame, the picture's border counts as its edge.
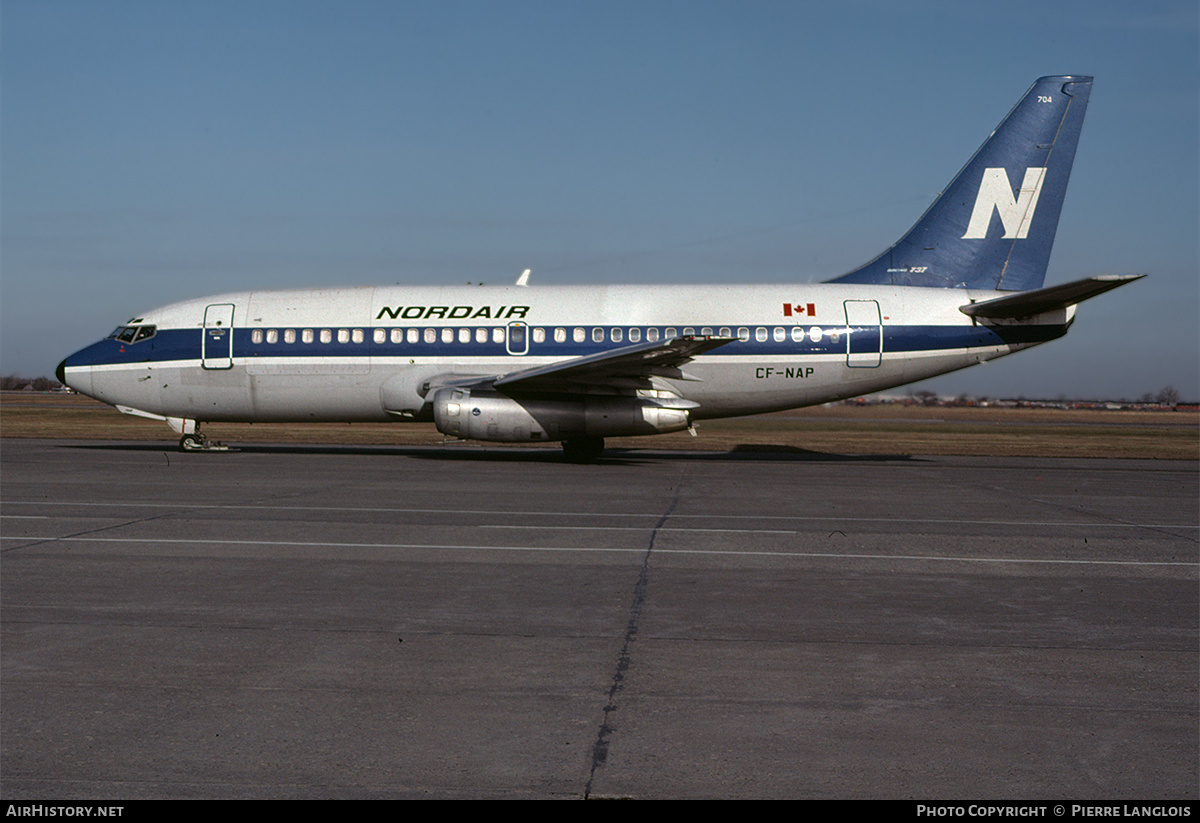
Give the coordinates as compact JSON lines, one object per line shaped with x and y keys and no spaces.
{"x":877,"y":430}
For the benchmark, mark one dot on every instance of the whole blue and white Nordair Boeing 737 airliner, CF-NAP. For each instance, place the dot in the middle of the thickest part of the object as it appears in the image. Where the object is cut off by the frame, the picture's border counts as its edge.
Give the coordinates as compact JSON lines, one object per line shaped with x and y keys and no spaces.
{"x":579,"y":364}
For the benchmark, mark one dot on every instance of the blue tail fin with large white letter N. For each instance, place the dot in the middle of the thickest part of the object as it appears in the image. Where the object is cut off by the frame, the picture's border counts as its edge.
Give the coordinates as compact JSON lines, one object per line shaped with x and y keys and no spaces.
{"x":994,"y":226}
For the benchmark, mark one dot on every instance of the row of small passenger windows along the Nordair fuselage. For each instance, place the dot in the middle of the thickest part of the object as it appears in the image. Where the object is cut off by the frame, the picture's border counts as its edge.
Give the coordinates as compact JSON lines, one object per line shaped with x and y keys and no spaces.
{"x":539,"y":335}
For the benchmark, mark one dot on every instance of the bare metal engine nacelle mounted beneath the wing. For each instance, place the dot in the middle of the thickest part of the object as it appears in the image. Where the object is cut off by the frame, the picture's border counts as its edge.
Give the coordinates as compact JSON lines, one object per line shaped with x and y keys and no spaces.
{"x":490,"y":416}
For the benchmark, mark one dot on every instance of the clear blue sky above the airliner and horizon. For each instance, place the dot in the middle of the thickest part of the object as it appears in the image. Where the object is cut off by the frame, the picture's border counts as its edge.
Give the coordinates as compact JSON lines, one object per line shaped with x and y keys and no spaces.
{"x":153,"y":152}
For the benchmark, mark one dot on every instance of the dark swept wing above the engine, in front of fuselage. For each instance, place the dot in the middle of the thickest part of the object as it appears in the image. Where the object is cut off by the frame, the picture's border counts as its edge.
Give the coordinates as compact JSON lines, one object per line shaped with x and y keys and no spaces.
{"x":629,"y":367}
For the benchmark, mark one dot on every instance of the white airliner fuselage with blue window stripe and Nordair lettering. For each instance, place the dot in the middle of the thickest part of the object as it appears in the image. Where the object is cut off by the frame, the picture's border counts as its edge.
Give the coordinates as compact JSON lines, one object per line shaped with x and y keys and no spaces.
{"x":362,"y":355}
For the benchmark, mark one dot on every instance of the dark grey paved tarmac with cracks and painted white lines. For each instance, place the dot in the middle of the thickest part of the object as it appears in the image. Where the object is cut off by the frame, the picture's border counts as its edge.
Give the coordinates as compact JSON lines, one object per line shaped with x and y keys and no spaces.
{"x":464,"y":622}
